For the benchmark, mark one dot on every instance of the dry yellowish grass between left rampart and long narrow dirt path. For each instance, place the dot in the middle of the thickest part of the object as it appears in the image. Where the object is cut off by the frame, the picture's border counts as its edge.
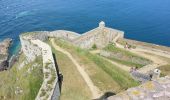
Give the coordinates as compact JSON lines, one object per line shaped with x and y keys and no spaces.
{"x":73,"y":86}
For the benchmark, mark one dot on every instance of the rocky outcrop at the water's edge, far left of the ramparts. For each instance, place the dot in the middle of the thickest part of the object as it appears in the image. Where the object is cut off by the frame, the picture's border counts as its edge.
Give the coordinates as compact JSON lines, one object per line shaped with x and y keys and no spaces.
{"x":4,"y":53}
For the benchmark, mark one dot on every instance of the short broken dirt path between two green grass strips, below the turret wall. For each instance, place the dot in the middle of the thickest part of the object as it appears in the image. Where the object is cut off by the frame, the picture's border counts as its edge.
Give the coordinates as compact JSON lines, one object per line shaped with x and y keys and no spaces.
{"x":123,"y":67}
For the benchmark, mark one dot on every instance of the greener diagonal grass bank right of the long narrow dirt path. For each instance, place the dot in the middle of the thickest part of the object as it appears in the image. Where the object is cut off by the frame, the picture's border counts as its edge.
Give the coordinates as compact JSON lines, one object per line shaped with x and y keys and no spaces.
{"x":121,"y":77}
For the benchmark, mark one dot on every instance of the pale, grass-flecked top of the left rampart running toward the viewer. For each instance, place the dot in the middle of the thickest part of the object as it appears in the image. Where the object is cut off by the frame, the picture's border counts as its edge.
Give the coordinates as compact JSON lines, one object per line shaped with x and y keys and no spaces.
{"x":48,"y":67}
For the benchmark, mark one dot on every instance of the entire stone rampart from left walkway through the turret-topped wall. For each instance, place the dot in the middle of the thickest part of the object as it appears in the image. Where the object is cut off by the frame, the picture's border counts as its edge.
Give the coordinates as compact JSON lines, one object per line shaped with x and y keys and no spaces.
{"x":33,"y":45}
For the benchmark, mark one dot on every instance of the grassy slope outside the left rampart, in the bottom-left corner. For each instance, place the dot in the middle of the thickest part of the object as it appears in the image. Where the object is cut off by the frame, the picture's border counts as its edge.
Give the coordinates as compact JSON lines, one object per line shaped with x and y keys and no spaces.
{"x":15,"y":80}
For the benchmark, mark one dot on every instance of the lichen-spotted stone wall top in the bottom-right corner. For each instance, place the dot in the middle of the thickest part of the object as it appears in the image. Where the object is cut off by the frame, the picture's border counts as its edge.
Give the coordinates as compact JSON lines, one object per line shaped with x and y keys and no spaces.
{"x":153,"y":90}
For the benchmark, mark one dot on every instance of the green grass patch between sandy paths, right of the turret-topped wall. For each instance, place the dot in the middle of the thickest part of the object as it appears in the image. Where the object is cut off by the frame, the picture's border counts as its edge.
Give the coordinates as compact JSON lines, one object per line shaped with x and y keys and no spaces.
{"x":127,"y":58}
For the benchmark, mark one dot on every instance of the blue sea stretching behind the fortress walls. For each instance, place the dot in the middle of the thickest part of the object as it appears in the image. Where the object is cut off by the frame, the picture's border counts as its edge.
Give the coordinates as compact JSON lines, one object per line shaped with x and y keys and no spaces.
{"x":143,"y":20}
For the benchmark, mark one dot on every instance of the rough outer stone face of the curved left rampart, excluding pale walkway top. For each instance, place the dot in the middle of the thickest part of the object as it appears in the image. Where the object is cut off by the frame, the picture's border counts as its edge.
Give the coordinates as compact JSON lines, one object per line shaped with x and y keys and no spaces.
{"x":32,"y":51}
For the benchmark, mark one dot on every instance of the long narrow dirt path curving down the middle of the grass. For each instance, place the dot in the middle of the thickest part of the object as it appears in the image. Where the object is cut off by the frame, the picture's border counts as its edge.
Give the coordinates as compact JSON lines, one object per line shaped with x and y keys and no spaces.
{"x":94,"y":90}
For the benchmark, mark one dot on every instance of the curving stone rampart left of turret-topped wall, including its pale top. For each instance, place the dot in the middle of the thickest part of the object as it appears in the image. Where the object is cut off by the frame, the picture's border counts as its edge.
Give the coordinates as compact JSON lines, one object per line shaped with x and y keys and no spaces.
{"x":33,"y":46}
